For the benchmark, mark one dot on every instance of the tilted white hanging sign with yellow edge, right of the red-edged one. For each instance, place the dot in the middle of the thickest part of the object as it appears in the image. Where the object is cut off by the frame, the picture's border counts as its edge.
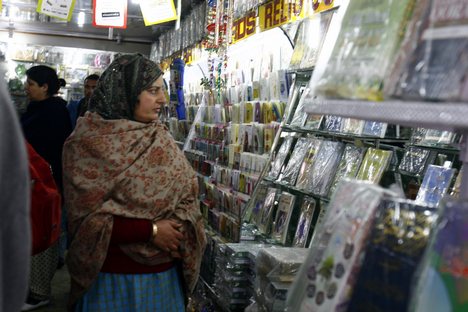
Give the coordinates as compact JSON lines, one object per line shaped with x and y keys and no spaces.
{"x":157,"y":11}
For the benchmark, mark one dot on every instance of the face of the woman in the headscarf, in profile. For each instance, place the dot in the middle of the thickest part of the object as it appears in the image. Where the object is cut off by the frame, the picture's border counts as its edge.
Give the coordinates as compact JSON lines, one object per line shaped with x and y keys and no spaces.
{"x":150,"y":102}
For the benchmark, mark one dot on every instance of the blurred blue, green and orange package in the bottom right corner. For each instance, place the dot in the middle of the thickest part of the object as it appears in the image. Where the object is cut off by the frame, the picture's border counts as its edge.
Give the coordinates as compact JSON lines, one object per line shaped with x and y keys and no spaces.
{"x":442,"y":283}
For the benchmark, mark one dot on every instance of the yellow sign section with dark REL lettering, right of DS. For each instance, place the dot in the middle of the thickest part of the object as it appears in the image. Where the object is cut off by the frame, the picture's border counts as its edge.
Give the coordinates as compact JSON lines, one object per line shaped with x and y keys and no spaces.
{"x":279,"y":12}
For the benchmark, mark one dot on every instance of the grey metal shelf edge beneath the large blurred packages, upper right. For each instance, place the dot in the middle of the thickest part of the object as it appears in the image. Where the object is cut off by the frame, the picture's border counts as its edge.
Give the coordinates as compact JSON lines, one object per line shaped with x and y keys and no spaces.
{"x":444,"y":115}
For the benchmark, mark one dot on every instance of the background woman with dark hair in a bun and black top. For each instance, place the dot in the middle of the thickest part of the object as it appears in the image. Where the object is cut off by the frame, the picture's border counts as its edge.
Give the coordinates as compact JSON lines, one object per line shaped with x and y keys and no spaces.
{"x":46,"y":124}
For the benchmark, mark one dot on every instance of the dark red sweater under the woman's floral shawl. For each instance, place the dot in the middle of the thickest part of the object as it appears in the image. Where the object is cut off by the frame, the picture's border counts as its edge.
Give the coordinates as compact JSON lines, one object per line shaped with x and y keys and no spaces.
{"x":126,"y":231}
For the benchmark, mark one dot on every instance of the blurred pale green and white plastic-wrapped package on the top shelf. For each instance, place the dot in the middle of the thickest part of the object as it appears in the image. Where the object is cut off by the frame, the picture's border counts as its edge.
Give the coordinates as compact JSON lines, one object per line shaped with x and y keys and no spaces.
{"x":368,"y":40}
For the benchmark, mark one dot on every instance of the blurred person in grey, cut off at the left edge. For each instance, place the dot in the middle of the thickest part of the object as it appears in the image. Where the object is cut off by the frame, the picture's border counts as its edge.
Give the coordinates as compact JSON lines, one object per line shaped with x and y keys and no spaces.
{"x":15,"y":231}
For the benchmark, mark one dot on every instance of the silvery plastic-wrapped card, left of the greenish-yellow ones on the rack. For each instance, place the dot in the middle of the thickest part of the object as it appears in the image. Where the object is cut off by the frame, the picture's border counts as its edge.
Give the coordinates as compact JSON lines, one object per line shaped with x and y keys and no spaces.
{"x":324,"y":167}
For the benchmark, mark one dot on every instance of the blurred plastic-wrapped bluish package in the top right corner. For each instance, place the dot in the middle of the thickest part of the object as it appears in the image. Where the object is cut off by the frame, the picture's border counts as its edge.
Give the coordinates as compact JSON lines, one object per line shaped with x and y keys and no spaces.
{"x":434,"y":61}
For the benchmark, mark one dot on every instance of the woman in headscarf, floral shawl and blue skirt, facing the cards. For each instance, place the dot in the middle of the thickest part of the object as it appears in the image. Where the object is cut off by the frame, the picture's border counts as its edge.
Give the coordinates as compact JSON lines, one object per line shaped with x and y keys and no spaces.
{"x":131,"y":196}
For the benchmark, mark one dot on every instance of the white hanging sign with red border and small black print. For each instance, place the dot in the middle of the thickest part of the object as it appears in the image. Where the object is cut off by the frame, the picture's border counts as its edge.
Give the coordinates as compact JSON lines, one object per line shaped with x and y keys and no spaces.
{"x":110,"y":13}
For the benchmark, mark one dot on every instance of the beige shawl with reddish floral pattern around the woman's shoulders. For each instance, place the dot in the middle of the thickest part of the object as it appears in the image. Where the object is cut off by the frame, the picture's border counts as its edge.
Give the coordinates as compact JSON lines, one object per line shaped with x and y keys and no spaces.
{"x":130,"y":169}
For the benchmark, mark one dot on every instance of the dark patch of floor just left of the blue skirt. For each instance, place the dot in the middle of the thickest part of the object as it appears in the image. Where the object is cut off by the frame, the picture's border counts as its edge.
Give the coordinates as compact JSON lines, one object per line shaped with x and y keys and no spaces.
{"x":60,"y":289}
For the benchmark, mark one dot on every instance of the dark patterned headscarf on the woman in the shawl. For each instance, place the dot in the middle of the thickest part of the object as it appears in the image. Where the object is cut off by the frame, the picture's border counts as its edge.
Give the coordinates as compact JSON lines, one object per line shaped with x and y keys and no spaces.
{"x":118,"y":88}
